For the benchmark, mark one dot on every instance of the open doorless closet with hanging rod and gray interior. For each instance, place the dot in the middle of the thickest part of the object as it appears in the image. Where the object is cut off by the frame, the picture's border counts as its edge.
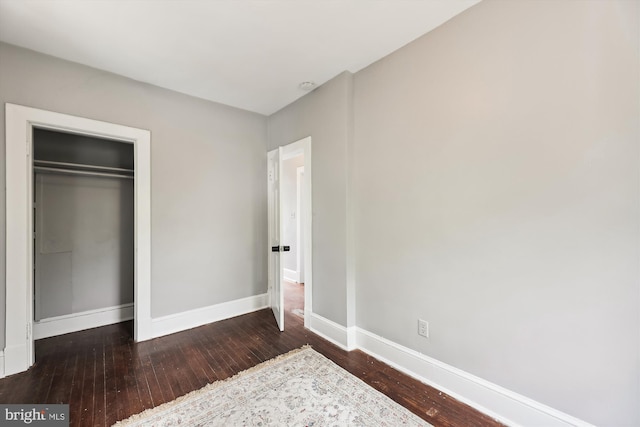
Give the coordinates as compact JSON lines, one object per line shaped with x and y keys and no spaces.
{"x":83,"y":232}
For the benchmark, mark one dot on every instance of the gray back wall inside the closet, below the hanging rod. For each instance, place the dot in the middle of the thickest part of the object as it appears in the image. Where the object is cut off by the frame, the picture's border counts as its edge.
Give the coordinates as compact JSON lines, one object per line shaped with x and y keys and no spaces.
{"x":84,"y":244}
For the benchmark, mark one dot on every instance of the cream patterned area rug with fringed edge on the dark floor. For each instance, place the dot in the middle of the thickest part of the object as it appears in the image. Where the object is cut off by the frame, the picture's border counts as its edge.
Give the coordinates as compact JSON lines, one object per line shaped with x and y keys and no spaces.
{"x":300,"y":388}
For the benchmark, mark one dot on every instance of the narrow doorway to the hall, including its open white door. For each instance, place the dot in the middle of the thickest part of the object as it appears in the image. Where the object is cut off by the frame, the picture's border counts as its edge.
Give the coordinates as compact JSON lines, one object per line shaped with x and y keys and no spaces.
{"x":290,"y":231}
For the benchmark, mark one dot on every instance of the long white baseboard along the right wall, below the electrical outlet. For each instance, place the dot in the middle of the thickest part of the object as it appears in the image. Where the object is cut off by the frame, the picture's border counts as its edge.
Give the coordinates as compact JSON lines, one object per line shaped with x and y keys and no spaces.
{"x":504,"y":405}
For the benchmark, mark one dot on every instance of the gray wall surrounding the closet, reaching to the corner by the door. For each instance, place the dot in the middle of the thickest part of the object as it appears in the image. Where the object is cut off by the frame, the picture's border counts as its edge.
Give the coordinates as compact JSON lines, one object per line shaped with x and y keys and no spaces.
{"x":208,"y":162}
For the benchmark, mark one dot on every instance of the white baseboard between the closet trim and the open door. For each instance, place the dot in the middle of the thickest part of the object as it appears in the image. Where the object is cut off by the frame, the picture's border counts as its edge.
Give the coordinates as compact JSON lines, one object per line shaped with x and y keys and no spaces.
{"x":201,"y":316}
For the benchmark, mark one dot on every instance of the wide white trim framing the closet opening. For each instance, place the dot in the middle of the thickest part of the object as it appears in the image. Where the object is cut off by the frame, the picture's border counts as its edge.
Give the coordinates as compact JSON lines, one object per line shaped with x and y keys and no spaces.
{"x":20,"y":121}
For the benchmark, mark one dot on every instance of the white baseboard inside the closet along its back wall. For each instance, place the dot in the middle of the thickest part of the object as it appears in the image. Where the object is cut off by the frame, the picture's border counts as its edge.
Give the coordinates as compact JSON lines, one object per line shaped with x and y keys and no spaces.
{"x":79,"y":321}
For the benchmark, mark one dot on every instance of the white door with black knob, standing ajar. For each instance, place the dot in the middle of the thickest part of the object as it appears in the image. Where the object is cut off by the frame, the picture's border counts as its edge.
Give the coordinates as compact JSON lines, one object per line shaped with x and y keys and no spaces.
{"x":276,"y":293}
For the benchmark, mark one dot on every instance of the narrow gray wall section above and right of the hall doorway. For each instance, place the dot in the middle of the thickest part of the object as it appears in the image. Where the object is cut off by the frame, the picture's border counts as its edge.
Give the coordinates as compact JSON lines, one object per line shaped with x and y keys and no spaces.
{"x":324,"y":115}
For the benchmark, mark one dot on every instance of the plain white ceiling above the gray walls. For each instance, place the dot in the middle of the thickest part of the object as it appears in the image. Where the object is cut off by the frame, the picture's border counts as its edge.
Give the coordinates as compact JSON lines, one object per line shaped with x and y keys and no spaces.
{"x":250,"y":54}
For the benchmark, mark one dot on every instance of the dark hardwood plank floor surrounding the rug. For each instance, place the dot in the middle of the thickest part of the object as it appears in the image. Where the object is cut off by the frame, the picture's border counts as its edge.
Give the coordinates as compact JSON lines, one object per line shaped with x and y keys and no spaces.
{"x":106,"y":377}
